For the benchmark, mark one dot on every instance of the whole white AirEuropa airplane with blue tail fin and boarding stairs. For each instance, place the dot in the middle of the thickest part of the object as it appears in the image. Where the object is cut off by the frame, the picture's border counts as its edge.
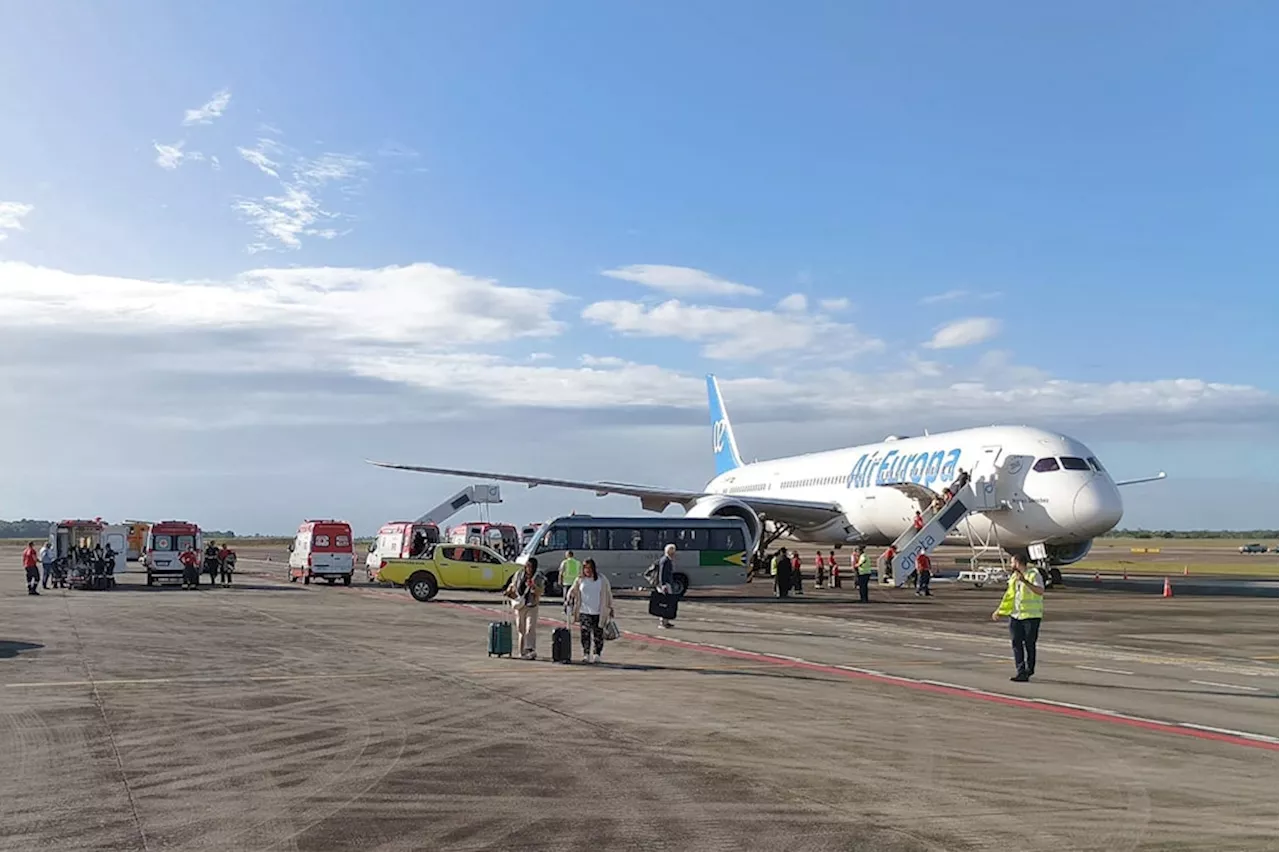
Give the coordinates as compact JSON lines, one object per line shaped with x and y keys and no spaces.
{"x":1027,"y":492}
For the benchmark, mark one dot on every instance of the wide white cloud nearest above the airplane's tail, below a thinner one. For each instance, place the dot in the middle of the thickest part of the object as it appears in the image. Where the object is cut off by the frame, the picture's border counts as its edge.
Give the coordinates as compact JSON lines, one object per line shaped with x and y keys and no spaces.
{"x":728,"y":333}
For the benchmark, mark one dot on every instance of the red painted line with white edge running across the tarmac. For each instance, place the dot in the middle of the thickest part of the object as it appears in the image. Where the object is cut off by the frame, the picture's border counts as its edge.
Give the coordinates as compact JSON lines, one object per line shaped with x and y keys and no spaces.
{"x":921,"y":686}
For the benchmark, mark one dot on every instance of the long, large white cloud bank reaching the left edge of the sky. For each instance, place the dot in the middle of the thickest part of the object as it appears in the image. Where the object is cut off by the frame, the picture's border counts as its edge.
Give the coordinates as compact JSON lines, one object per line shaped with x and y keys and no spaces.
{"x":423,"y":308}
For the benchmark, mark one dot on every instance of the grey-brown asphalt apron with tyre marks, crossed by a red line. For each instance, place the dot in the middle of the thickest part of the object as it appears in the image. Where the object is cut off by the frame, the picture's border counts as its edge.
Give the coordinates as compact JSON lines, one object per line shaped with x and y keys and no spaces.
{"x":278,"y":717}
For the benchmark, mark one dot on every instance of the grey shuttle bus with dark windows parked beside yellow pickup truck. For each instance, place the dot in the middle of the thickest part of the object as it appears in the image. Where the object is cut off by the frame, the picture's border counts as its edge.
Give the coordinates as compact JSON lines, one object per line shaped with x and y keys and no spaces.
{"x":710,"y":552}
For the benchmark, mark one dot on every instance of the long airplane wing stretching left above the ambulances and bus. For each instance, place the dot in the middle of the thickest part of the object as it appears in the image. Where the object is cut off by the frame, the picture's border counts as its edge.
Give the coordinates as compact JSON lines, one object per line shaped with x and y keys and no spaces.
{"x":798,"y":512}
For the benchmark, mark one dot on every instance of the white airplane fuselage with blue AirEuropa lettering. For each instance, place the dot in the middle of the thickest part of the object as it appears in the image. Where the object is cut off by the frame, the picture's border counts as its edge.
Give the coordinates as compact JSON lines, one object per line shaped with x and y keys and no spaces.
{"x":1057,"y":505}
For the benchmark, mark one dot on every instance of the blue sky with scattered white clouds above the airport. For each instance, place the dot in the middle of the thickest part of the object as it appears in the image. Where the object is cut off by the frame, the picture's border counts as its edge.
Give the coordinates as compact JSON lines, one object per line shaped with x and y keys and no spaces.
{"x":286,"y":237}
